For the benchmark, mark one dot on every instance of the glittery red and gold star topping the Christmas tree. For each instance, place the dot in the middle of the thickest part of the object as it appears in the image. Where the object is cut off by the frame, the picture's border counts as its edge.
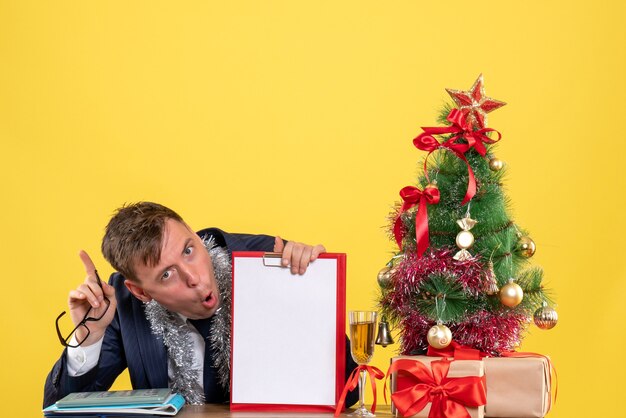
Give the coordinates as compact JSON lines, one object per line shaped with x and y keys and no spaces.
{"x":474,"y":104}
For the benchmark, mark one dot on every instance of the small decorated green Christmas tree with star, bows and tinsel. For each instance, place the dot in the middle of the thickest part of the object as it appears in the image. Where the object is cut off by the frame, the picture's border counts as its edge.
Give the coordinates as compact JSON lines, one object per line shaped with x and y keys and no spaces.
{"x":462,"y":271}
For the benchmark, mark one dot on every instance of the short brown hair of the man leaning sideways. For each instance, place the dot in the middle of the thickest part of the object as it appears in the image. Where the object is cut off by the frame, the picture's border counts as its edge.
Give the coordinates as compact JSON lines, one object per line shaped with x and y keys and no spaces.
{"x":135,"y":234}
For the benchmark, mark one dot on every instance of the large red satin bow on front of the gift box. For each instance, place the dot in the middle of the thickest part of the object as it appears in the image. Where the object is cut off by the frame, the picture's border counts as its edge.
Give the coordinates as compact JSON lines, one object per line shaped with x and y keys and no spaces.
{"x":449,"y":396}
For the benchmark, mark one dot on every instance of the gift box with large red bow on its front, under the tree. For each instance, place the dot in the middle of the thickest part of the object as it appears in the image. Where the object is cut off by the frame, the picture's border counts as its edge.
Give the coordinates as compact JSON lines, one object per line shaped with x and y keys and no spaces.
{"x":450,"y":385}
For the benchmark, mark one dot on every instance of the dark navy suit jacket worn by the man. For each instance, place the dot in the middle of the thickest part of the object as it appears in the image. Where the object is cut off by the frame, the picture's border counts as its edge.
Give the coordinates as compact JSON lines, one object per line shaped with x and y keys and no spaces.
{"x":129,"y":343}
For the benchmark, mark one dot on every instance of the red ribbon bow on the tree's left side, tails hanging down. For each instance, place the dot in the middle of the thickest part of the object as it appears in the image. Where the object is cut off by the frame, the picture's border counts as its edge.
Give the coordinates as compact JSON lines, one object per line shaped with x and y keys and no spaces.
{"x":413,"y":196}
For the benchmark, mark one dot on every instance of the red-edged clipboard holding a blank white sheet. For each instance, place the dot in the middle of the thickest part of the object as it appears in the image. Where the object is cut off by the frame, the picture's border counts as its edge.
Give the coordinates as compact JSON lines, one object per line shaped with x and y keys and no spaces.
{"x":288,"y":334}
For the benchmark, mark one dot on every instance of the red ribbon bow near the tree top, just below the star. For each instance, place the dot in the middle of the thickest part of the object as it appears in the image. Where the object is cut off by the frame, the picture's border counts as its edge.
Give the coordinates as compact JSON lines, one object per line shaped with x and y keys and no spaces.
{"x":462,"y":129}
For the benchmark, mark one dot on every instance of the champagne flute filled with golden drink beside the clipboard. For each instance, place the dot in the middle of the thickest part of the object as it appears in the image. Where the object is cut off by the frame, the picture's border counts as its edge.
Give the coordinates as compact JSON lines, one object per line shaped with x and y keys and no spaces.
{"x":362,"y":337}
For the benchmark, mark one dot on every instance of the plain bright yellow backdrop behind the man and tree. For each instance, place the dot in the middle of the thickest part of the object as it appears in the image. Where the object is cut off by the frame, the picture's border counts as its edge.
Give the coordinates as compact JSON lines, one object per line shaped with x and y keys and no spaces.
{"x":296,"y":118}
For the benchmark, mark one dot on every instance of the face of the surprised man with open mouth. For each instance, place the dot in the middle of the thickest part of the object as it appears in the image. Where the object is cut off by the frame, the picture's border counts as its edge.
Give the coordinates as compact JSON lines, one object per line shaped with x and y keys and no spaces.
{"x":183,"y":280}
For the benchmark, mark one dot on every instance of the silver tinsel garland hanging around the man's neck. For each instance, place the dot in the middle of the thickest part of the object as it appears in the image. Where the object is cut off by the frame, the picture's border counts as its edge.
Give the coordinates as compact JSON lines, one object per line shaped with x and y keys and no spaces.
{"x":176,"y":337}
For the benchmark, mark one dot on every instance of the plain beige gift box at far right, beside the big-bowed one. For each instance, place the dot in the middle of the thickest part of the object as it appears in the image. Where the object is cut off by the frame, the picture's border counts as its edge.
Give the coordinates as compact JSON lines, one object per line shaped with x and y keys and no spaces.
{"x":517,"y":387}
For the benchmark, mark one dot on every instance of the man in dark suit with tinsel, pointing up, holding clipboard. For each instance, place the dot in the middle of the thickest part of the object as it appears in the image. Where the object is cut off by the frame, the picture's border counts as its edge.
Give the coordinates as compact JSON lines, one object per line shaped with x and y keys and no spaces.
{"x":165,"y":314}
